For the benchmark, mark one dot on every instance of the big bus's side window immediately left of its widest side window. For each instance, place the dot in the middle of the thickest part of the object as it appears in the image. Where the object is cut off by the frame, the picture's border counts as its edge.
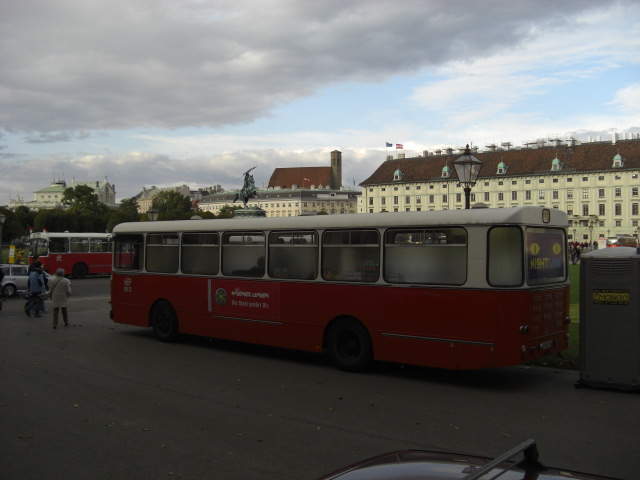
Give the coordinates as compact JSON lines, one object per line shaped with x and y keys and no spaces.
{"x":351,"y":255}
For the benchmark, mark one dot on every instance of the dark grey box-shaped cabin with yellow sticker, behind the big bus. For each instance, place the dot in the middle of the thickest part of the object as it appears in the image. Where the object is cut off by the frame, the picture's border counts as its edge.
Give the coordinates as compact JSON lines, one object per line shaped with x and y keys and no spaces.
{"x":610,"y":318}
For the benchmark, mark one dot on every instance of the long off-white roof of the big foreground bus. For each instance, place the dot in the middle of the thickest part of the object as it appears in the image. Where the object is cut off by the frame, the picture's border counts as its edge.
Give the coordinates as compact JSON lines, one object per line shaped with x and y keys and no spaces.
{"x":475,"y":216}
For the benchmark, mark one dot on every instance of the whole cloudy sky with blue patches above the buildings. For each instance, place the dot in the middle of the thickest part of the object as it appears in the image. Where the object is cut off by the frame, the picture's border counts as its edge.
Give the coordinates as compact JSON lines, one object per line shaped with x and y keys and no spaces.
{"x":170,"y":92}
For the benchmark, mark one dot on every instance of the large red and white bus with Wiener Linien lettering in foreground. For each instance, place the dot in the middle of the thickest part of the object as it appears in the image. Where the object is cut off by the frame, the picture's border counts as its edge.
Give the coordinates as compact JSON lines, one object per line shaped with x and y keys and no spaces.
{"x":457,"y":289}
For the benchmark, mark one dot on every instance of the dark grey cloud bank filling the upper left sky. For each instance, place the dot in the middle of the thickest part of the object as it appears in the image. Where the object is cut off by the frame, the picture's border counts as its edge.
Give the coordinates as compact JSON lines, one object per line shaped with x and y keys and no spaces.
{"x":117,"y":64}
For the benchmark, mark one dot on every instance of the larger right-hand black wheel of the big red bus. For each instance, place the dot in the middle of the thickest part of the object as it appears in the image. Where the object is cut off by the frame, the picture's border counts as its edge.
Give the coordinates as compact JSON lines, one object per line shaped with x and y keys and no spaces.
{"x":349,"y":345}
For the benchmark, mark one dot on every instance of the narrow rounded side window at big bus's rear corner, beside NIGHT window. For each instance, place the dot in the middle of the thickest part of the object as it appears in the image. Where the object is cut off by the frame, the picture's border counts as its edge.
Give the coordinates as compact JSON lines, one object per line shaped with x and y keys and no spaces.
{"x":504,"y":265}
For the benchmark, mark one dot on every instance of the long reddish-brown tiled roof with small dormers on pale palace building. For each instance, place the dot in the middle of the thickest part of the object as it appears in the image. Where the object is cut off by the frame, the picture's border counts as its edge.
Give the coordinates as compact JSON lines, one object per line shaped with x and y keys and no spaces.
{"x":578,"y":158}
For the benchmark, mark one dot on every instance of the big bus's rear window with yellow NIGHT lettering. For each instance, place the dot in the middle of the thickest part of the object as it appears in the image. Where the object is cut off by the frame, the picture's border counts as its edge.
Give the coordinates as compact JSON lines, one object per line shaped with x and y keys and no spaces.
{"x":546,"y":260}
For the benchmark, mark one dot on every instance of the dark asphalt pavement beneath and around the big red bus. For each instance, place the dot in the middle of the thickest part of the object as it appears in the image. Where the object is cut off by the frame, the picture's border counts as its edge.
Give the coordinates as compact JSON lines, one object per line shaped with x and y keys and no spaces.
{"x":99,"y":400}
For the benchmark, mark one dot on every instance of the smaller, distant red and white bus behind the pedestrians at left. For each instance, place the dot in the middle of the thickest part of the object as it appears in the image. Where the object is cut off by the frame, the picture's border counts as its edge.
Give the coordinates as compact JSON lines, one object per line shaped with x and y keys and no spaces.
{"x":80,"y":254}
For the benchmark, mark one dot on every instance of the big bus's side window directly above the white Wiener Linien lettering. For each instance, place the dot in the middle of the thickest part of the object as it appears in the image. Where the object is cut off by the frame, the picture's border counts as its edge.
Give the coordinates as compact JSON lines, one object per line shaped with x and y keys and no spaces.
{"x":243,"y":254}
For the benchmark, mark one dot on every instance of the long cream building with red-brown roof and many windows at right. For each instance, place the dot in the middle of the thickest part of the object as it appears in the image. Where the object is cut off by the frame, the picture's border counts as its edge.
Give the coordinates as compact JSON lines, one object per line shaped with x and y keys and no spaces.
{"x":596,"y":183}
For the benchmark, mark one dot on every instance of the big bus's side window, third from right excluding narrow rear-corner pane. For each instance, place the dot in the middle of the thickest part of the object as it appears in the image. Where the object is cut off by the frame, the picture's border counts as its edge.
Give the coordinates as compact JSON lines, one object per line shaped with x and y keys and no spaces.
{"x":293,"y":255}
